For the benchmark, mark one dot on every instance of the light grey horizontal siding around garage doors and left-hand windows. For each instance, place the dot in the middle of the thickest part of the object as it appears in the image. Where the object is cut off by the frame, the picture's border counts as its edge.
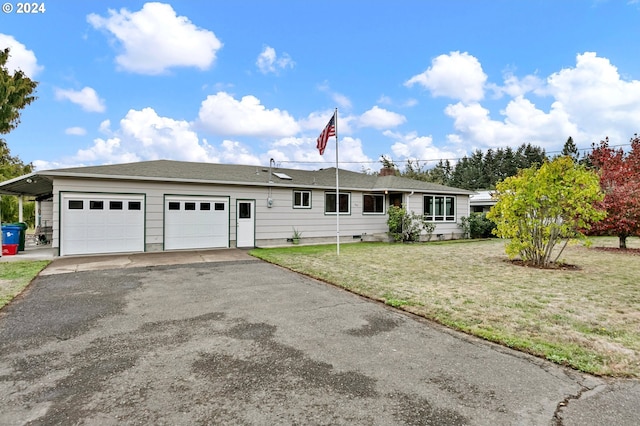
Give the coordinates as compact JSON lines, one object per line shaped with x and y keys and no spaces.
{"x":273,"y":225}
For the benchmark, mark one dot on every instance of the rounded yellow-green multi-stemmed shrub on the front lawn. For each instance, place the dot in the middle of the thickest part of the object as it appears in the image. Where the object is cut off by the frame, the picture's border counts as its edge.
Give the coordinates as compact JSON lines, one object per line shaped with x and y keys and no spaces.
{"x":538,"y":208}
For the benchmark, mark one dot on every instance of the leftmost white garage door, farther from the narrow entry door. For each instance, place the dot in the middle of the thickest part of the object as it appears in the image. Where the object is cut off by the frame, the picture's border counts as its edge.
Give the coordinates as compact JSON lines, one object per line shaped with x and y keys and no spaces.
{"x":101,"y":223}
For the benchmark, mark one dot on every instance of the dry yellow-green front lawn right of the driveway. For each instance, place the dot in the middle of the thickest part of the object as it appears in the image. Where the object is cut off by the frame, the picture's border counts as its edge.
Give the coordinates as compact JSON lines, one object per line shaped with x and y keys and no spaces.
{"x":586,"y":317}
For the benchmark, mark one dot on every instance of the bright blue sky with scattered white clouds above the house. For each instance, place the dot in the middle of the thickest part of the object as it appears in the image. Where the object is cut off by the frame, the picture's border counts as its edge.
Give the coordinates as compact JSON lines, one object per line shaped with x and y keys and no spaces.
{"x":245,"y":81}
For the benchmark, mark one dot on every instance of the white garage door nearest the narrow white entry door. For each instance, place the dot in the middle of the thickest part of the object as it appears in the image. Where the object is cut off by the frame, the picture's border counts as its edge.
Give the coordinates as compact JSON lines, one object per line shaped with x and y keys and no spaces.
{"x":196,"y":222}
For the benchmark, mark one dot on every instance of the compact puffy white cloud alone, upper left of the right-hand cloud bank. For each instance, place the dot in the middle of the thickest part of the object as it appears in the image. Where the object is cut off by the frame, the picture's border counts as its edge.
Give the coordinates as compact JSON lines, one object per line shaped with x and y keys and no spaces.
{"x":456,"y":75}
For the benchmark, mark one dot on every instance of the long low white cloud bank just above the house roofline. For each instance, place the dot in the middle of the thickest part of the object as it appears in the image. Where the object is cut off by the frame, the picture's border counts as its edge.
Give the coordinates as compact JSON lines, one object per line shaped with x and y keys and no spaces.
{"x":144,"y":135}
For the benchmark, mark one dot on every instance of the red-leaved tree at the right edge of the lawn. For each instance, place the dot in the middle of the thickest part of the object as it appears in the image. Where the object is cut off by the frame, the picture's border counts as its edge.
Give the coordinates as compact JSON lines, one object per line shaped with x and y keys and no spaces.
{"x":620,"y":181}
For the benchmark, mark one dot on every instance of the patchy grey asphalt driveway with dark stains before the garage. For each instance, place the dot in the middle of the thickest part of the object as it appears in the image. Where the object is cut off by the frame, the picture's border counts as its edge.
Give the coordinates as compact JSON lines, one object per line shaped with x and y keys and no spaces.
{"x":246,"y":342}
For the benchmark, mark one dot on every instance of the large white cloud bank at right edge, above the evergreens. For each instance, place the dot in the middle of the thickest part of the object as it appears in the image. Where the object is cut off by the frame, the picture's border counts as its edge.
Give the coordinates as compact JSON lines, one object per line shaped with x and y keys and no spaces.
{"x":587,"y":102}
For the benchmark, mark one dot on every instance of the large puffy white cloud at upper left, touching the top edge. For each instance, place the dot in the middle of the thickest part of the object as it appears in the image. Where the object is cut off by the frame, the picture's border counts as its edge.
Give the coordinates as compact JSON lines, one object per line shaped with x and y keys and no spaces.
{"x":155,"y":39}
